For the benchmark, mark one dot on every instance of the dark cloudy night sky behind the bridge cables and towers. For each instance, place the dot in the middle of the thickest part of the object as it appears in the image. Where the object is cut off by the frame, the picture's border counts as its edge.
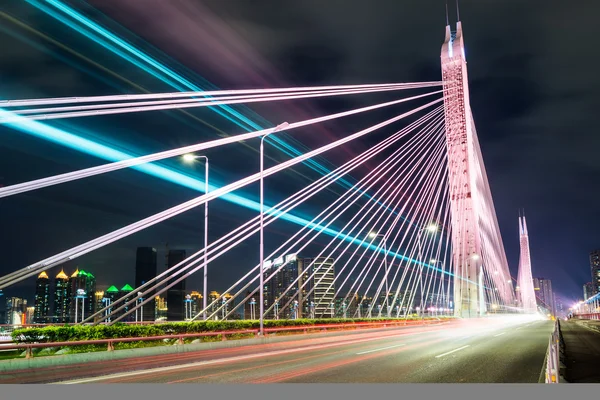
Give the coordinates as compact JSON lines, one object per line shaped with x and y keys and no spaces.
{"x":533,"y":83}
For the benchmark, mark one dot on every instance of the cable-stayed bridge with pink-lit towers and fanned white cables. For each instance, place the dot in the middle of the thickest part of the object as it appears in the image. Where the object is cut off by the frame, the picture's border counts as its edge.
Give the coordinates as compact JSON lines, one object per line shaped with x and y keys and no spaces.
{"x":418,"y":229}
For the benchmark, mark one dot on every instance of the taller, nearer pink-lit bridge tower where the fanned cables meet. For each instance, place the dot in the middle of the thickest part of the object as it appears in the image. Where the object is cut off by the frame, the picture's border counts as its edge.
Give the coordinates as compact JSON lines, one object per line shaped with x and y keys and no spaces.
{"x":466,"y":242}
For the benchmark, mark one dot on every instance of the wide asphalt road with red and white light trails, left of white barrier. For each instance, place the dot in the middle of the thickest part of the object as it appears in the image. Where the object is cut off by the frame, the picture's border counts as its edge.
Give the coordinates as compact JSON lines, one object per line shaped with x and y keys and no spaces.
{"x":500,"y":351}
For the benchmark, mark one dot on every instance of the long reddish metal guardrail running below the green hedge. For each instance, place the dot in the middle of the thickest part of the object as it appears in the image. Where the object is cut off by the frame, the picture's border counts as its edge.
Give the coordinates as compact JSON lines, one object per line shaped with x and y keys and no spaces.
{"x":180,"y":337}
